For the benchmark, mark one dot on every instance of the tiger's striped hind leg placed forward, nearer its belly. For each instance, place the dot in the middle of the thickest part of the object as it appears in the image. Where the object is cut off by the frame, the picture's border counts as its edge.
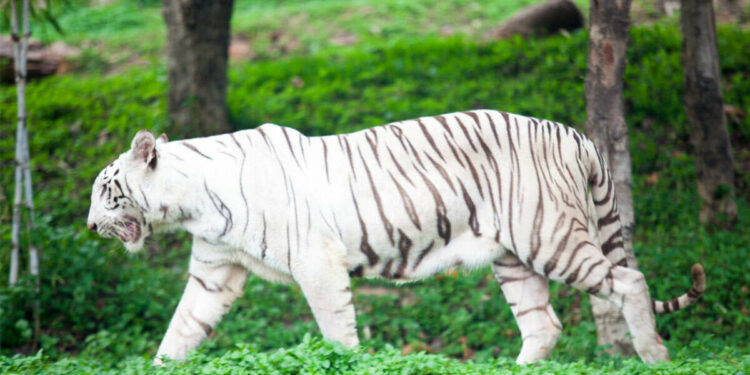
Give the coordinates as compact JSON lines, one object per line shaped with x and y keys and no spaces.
{"x":527,"y":294}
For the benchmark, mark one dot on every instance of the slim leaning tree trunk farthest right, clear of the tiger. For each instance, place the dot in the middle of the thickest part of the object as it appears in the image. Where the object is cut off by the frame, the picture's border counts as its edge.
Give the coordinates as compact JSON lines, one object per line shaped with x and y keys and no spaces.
{"x":704,"y":107}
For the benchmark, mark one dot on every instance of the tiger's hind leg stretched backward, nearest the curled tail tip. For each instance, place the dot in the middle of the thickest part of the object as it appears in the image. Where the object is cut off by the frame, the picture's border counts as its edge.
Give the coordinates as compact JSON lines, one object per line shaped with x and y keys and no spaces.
{"x":587,"y":269}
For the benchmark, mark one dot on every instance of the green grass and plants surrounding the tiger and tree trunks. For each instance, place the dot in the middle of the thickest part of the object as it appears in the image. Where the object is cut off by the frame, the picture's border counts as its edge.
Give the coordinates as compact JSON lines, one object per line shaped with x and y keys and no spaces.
{"x":345,"y":66}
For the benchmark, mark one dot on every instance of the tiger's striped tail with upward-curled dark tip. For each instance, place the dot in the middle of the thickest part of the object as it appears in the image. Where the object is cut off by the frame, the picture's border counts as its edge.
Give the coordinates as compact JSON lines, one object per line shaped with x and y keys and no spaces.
{"x":610,"y":231}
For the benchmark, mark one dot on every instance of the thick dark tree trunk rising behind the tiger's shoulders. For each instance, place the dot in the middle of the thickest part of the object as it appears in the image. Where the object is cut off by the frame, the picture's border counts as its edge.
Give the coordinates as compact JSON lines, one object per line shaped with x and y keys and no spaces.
{"x":197,"y":53}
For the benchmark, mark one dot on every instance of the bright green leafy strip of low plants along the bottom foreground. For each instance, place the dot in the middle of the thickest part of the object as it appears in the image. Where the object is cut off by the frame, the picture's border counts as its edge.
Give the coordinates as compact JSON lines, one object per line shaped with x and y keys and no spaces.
{"x":314,"y":356}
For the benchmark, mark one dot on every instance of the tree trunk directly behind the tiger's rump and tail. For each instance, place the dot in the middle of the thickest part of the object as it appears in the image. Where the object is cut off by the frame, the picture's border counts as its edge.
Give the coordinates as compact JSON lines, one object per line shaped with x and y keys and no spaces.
{"x":605,"y":125}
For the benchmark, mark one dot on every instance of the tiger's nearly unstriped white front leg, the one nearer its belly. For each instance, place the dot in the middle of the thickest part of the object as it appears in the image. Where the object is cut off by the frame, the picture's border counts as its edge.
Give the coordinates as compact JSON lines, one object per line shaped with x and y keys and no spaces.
{"x":324,"y":279}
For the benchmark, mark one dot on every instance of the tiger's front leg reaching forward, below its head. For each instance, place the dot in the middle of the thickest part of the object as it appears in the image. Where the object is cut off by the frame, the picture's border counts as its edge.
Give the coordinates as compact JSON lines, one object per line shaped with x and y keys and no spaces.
{"x":210,"y":291}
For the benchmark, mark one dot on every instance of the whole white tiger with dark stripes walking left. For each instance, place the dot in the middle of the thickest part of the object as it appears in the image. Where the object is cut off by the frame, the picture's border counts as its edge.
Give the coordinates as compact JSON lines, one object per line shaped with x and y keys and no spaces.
{"x":403,"y":201}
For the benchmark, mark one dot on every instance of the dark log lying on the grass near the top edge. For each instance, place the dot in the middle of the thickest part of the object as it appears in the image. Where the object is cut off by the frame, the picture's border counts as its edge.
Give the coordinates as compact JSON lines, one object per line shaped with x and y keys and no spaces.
{"x":541,"y":19}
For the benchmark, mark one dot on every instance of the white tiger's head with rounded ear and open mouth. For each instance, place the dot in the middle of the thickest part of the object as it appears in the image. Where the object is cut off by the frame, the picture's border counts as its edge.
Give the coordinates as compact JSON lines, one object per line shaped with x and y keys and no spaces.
{"x":119,"y":201}
